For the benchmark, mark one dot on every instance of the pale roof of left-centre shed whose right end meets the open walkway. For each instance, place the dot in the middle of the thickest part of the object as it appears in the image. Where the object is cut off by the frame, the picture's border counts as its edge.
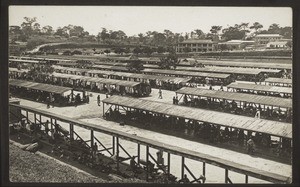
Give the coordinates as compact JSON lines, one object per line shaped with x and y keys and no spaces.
{"x":98,"y":80}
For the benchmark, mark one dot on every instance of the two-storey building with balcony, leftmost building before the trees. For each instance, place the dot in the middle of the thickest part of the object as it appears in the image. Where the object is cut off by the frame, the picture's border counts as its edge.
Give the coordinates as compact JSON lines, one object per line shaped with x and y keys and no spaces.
{"x":196,"y":45}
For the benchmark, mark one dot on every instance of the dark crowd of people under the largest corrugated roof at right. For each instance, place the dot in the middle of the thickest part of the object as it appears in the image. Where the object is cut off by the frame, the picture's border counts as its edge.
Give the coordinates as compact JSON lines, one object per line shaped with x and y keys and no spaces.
{"x":211,"y":133}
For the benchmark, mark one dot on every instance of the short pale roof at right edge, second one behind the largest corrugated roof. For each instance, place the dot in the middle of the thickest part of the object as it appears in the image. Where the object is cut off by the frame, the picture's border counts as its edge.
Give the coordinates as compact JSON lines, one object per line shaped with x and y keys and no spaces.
{"x":259,"y":87}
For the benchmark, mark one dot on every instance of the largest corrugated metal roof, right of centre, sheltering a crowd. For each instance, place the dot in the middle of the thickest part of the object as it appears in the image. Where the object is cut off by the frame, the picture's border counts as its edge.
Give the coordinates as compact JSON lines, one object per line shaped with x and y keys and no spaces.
{"x":230,"y":120}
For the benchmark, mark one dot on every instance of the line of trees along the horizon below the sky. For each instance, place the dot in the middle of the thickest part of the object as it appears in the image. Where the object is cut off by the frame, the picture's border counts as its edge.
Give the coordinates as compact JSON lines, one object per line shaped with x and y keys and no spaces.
{"x":30,"y":28}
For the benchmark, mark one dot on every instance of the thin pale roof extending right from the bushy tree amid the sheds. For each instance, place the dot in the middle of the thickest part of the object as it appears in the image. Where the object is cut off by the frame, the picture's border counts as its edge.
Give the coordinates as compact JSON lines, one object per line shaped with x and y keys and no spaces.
{"x":216,"y":69}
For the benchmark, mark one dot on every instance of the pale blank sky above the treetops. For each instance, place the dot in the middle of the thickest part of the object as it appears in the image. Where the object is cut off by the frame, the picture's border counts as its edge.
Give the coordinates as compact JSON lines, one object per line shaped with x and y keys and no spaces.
{"x":134,"y":20}
